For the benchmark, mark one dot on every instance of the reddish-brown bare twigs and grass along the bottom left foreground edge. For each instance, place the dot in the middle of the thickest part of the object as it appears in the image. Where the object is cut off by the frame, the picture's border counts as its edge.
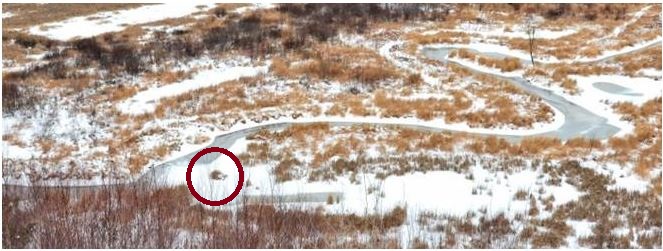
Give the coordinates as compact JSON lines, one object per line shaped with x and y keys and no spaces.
{"x":61,"y":219}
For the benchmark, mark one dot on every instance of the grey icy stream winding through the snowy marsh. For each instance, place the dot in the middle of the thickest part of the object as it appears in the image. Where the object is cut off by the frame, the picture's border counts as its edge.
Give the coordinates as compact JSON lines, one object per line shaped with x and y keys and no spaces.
{"x":578,"y":122}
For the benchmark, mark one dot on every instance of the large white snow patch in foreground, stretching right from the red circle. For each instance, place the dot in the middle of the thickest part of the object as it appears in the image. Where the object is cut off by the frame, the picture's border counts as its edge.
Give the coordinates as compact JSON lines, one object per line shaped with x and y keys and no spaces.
{"x":430,"y":191}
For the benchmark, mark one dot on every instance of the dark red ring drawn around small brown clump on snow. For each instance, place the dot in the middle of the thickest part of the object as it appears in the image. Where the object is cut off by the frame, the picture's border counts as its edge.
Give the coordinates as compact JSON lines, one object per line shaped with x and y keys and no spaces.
{"x":239,"y":183}
